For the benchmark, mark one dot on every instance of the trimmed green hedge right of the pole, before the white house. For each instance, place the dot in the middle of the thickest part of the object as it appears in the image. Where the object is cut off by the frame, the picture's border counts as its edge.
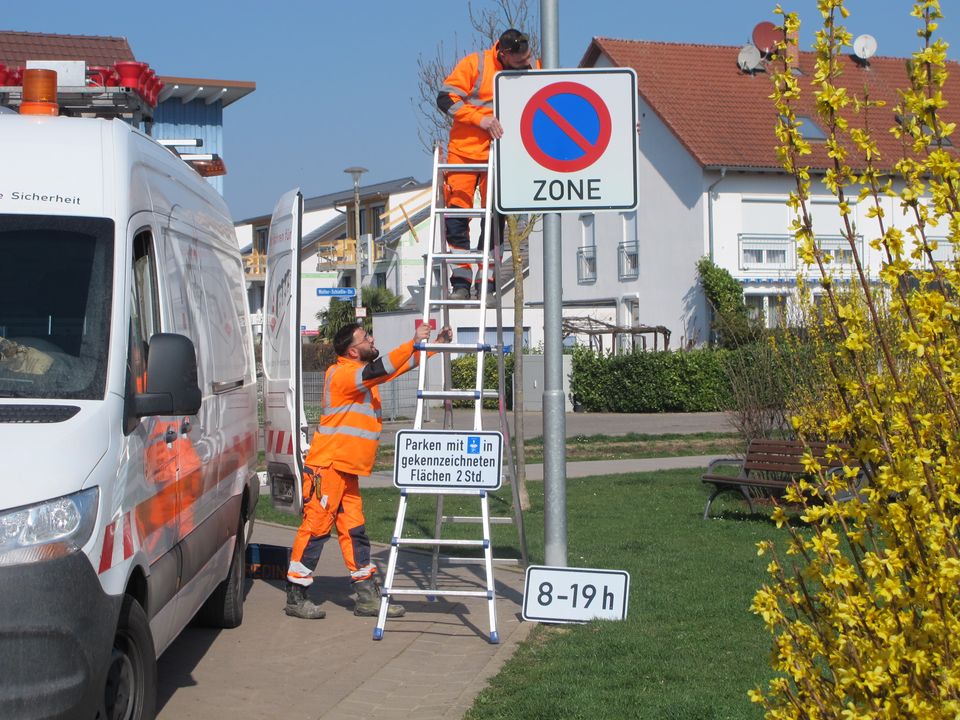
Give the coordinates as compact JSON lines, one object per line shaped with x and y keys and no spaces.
{"x":688,"y":381}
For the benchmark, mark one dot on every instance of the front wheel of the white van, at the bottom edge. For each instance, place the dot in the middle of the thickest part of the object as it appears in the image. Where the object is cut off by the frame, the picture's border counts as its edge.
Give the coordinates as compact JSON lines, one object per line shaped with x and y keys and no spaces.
{"x":130,"y":691}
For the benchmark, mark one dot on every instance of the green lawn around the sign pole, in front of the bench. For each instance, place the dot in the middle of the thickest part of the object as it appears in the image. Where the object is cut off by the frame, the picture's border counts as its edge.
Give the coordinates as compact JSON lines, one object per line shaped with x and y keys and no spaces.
{"x":689,"y":649}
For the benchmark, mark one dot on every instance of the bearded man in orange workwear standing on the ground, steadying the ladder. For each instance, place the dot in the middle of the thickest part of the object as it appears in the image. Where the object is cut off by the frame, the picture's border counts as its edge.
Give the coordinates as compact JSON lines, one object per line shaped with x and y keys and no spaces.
{"x":343,"y":448}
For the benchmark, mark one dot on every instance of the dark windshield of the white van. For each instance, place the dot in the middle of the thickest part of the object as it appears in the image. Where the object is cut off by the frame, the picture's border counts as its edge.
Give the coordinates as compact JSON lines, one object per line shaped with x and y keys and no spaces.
{"x":56,"y":280}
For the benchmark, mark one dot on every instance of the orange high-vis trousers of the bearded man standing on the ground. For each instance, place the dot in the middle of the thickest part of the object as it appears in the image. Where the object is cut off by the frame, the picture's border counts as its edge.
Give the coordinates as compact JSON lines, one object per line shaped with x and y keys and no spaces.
{"x":334,"y":500}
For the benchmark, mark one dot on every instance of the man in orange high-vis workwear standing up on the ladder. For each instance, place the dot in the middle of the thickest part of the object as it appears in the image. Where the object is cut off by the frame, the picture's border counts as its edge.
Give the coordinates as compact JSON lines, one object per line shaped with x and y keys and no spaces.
{"x":467,"y":96}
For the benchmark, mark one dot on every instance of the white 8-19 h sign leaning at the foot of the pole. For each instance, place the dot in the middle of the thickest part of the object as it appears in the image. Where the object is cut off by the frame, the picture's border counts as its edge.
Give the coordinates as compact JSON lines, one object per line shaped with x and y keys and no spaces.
{"x":561,"y":594}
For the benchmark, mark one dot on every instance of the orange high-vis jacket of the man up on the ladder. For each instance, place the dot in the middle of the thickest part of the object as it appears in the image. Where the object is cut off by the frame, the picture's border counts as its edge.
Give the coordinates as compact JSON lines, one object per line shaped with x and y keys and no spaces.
{"x":467,"y":96}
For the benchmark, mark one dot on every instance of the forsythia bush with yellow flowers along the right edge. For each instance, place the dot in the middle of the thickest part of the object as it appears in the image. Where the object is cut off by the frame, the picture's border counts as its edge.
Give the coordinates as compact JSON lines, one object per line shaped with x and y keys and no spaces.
{"x":864,"y":600}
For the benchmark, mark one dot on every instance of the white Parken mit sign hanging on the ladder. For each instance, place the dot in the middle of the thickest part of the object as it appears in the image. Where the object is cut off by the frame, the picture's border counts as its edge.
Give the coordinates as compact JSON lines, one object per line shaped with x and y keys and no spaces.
{"x":467,"y":459}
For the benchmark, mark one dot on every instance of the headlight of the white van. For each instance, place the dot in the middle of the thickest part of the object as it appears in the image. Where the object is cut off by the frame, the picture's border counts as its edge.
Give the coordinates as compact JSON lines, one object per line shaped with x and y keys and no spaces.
{"x":49,"y":529}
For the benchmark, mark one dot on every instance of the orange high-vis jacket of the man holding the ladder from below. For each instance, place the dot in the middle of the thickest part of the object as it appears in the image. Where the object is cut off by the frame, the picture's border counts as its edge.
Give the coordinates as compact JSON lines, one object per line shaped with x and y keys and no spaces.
{"x":350,"y":423}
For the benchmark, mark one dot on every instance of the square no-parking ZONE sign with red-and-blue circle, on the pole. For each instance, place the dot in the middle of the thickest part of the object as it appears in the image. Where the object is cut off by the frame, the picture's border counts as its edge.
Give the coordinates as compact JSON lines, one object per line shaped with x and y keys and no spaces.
{"x":569,"y":140}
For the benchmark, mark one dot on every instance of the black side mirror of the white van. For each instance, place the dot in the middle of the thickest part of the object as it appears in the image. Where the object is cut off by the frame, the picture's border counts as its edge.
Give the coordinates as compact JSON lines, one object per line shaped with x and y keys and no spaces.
{"x":171,"y":378}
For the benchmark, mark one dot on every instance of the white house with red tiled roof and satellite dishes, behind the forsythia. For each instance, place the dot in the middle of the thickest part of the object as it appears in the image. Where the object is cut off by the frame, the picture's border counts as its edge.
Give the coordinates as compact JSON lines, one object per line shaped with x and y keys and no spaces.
{"x":710,"y":185}
